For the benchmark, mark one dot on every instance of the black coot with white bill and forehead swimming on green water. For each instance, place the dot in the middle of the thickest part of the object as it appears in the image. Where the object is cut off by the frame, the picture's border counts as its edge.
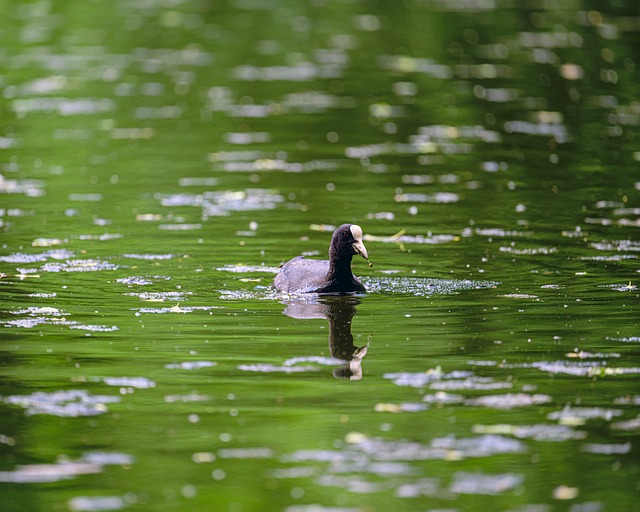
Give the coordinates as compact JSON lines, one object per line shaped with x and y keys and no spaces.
{"x":300,"y":275}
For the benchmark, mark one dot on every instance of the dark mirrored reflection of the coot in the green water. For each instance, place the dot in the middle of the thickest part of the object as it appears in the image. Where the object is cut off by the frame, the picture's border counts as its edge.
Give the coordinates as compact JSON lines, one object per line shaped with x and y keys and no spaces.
{"x":339,"y":310}
